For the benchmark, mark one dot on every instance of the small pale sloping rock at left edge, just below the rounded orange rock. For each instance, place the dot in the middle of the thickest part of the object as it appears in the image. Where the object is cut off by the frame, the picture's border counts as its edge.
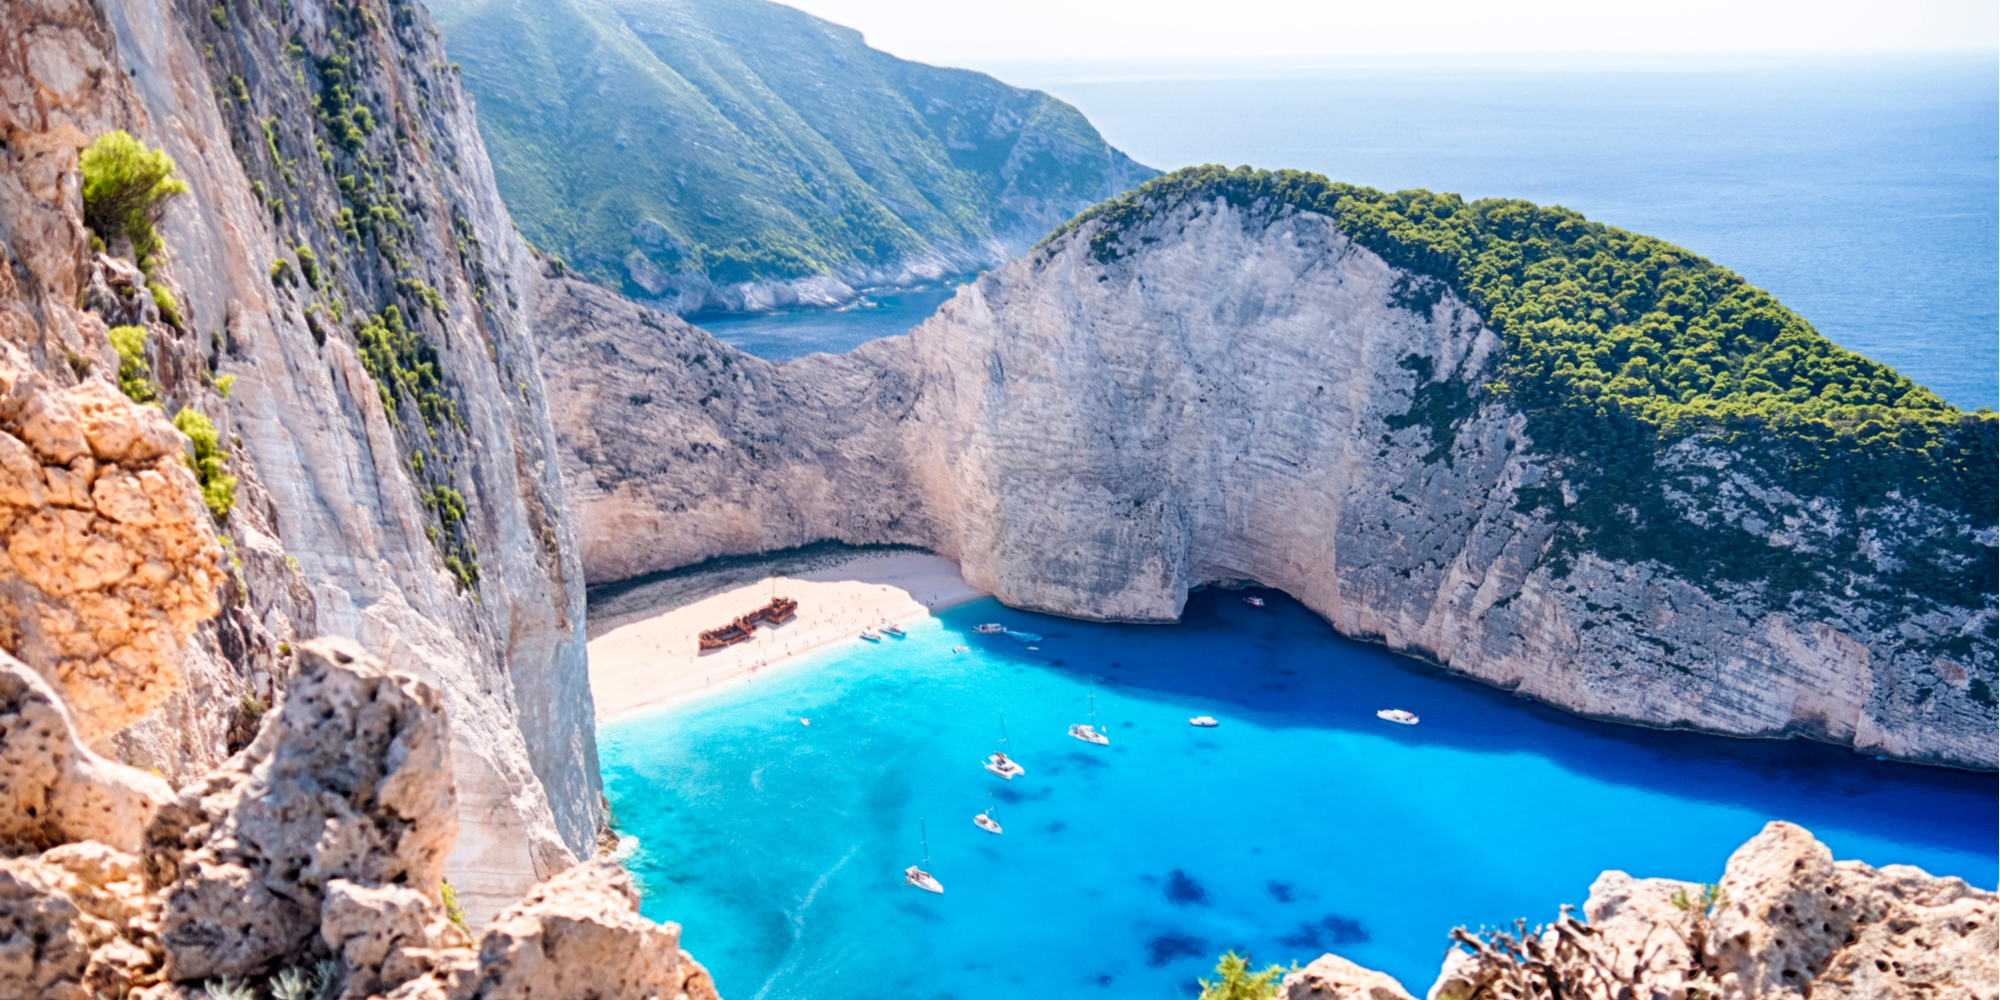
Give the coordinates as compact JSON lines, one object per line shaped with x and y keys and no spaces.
{"x":53,"y":789}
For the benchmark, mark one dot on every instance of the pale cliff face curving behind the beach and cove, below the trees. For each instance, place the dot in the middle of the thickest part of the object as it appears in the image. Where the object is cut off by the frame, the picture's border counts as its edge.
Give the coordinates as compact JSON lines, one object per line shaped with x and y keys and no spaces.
{"x":1227,"y":393}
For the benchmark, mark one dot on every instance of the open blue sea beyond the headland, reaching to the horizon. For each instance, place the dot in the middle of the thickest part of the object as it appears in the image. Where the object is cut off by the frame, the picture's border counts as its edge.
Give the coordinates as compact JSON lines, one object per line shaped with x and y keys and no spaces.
{"x":1863,"y":191}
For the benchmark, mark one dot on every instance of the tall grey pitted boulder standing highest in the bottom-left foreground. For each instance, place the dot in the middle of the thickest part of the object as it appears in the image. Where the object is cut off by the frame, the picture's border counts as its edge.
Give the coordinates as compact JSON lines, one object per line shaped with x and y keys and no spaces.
{"x":349,"y":779}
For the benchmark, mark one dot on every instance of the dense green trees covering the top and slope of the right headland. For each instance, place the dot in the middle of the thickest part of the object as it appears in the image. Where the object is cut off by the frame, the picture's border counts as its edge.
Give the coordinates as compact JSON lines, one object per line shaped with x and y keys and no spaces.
{"x":1621,"y":347}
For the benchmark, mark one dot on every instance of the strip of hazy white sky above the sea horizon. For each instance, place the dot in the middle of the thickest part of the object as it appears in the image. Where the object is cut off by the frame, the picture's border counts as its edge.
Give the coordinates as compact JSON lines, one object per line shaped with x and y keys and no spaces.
{"x":967,"y":31}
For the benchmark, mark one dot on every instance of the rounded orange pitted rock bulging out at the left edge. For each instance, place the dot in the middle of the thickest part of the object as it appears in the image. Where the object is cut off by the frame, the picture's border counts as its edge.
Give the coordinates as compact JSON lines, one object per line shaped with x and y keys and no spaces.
{"x":111,"y":555}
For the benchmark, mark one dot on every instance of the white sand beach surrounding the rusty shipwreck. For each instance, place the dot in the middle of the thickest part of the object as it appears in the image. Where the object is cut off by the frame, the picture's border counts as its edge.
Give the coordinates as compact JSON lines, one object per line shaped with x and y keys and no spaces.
{"x":649,"y":659}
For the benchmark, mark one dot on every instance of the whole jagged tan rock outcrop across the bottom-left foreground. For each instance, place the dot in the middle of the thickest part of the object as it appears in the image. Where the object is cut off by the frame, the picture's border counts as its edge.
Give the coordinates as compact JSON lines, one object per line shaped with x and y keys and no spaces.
{"x":313,"y":859}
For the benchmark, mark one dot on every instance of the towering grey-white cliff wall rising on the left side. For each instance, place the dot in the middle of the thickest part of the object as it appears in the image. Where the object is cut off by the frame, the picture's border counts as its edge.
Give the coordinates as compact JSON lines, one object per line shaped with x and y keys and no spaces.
{"x":343,"y":259}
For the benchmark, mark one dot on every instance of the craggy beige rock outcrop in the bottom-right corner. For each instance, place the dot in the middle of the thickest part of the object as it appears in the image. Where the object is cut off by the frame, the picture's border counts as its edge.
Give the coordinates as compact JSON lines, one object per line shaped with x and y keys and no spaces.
{"x":1785,"y":923}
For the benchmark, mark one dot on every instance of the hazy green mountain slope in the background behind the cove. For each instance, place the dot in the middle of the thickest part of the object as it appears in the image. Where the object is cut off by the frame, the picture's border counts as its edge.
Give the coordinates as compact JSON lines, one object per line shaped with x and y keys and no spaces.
{"x":655,"y":141}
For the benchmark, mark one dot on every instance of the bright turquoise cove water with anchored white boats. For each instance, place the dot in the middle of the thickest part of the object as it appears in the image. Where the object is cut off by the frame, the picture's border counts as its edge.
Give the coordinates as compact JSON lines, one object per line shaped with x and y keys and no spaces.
{"x":1301,"y":825}
